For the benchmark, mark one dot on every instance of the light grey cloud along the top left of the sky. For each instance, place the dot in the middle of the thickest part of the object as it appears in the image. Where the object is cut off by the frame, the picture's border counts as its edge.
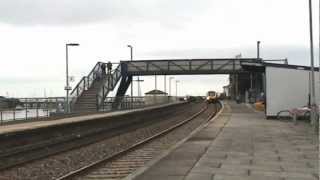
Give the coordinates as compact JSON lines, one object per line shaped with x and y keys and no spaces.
{"x":74,"y":12}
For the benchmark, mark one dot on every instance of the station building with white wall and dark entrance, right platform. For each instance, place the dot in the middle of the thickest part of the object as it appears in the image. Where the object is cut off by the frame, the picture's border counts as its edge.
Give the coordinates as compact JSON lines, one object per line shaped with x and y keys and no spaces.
{"x":280,"y":86}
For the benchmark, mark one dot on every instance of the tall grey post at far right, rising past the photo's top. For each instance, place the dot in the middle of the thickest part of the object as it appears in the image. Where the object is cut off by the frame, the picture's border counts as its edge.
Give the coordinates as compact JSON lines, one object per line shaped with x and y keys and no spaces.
{"x":313,"y":102}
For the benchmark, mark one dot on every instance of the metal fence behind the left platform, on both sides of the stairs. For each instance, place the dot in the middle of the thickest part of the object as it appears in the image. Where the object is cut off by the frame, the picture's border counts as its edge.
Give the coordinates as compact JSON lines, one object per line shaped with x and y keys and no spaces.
{"x":42,"y":108}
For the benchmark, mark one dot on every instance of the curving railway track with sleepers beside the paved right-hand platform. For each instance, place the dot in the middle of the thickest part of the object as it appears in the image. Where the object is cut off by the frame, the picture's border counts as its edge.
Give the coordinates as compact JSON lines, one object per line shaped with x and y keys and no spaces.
{"x":121,"y":164}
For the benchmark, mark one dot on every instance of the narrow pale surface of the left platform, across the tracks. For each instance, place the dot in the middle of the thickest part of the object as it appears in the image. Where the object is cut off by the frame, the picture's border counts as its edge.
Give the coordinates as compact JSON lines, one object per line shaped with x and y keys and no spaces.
{"x":13,"y":128}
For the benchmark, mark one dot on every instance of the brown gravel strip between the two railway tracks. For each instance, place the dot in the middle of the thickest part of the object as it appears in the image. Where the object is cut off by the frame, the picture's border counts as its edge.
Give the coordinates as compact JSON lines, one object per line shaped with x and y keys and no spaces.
{"x":57,"y":165}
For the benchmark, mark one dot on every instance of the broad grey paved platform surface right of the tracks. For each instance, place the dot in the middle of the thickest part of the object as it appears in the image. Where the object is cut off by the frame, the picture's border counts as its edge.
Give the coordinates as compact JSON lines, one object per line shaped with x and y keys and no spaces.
{"x":241,"y":144}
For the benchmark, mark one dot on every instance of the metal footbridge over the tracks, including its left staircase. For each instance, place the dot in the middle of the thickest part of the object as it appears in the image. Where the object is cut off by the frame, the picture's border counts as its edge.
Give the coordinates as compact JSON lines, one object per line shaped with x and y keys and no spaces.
{"x":92,"y":90}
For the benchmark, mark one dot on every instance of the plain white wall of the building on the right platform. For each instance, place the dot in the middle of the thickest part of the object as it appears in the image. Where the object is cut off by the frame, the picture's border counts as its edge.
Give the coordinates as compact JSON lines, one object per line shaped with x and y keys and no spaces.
{"x":287,"y":89}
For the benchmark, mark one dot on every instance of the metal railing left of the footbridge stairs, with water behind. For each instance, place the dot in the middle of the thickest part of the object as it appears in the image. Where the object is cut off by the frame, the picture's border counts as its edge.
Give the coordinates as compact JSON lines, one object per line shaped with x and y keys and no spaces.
{"x":33,"y":108}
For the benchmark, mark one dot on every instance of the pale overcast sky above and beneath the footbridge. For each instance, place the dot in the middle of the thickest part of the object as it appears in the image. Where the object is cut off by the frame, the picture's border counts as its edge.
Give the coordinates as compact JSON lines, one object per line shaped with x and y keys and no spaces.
{"x":33,"y":34}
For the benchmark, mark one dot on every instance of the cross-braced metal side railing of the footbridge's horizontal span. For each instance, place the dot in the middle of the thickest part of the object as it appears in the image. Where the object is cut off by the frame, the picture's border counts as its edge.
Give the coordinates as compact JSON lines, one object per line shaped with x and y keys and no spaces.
{"x":185,"y":66}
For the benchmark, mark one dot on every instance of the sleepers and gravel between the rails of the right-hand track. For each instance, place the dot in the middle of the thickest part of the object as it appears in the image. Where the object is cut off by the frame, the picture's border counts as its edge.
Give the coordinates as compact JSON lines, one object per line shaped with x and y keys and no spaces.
{"x":121,"y":167}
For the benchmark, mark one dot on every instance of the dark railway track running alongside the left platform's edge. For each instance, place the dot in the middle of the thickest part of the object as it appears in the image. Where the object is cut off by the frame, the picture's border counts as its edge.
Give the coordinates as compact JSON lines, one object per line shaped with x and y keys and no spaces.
{"x":23,"y":155}
